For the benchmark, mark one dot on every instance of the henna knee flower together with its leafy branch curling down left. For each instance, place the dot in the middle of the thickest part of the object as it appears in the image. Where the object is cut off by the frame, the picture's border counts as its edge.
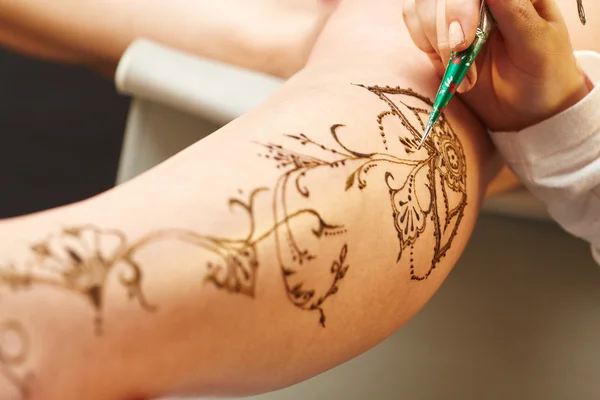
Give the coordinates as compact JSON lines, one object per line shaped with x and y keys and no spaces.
{"x":427,"y":186}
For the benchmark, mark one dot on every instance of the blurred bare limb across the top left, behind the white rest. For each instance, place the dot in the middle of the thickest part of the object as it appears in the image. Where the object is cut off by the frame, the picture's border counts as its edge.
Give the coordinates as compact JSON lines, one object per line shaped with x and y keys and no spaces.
{"x":270,"y":36}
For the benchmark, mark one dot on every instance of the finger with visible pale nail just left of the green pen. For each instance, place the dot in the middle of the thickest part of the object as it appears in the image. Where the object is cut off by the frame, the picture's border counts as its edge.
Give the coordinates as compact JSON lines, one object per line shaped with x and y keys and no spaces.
{"x":462,"y":17}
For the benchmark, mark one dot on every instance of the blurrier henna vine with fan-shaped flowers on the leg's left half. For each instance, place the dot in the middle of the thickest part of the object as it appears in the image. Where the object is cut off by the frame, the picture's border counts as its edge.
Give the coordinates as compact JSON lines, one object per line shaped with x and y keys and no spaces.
{"x":80,"y":260}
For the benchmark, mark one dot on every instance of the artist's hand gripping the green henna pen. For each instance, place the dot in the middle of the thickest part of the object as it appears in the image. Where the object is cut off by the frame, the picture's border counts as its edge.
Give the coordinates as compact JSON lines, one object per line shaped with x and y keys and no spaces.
{"x":526,"y":72}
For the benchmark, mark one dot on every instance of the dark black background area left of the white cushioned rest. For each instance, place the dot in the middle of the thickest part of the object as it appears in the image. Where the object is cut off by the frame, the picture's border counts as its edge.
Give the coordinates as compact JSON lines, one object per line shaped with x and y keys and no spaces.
{"x":61,"y":129}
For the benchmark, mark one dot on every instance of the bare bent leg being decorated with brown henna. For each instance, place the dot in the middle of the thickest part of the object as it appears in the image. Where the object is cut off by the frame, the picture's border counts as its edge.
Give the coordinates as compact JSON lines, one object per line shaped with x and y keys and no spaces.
{"x":292,"y":240}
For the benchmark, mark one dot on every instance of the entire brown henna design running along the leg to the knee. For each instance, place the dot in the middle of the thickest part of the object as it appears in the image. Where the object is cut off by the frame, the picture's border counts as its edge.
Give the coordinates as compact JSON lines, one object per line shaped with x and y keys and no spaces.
{"x":427,"y":195}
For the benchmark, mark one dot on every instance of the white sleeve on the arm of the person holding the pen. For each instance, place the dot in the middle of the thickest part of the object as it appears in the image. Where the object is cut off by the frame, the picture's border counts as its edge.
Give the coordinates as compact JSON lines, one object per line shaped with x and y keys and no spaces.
{"x":558,"y":160}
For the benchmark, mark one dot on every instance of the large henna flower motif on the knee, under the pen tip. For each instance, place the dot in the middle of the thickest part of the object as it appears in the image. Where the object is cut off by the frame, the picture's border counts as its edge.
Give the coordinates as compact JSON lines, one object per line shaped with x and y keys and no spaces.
{"x":432,"y":198}
